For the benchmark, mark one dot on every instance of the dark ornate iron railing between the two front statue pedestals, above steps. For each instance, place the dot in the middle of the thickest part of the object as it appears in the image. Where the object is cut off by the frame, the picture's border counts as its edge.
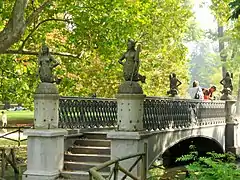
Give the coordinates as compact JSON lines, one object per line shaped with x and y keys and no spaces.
{"x":76,"y":112}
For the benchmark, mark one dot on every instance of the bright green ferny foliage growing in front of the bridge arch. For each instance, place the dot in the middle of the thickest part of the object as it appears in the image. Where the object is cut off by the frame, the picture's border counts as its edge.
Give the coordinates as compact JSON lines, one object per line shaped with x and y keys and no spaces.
{"x":212,"y":167}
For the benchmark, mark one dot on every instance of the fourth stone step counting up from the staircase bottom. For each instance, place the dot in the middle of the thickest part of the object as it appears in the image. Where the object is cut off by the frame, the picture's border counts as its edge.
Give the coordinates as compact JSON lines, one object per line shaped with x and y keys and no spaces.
{"x":89,"y":150}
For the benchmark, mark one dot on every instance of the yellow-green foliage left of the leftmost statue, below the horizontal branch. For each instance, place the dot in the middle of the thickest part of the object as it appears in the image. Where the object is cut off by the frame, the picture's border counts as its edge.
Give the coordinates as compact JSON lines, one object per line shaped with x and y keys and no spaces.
{"x":17,"y":79}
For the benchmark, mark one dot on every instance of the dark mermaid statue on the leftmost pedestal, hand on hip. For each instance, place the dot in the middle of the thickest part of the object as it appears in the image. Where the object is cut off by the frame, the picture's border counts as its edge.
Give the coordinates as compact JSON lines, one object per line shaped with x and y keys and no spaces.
{"x":46,"y":64}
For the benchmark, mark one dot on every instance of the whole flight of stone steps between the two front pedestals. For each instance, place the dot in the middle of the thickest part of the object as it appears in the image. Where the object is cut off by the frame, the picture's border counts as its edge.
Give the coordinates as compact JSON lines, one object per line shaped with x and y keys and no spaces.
{"x":89,"y":151}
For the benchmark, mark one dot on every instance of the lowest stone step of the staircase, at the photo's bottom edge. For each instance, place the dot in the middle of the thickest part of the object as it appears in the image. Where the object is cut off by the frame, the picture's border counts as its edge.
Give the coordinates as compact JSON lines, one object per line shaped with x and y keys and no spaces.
{"x":76,"y":175}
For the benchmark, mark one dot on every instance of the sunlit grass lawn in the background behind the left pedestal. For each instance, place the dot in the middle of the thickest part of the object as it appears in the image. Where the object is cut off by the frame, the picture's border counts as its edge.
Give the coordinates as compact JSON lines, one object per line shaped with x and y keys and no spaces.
{"x":20,"y":117}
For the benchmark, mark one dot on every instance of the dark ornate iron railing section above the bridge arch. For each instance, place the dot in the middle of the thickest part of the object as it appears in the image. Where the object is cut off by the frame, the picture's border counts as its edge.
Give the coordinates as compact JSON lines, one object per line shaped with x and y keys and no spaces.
{"x":162,"y":114}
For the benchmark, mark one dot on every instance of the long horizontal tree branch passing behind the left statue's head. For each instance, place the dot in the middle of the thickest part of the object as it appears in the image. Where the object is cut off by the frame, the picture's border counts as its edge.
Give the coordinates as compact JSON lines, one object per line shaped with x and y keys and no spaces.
{"x":33,"y":53}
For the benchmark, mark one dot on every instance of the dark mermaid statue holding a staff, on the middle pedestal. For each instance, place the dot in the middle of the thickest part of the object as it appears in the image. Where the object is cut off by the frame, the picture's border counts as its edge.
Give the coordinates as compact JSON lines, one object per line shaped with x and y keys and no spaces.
{"x":132,"y":63}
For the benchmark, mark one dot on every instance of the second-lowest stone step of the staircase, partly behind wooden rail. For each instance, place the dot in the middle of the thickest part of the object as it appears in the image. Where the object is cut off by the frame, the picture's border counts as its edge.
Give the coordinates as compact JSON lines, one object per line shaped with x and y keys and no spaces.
{"x":82,"y":166}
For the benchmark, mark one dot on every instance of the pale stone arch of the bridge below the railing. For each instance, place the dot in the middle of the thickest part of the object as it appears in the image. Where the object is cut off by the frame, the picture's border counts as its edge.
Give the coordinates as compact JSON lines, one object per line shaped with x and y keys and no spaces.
{"x":161,"y":142}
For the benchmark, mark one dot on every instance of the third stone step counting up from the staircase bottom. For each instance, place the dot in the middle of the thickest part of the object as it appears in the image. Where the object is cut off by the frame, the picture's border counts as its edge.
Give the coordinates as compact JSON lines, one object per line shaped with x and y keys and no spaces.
{"x":100,"y":158}
